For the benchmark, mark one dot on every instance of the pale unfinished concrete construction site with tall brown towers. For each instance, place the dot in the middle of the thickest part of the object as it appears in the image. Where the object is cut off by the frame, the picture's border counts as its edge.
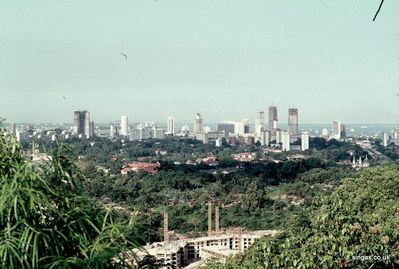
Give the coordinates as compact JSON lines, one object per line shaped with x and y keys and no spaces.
{"x":177,"y":251}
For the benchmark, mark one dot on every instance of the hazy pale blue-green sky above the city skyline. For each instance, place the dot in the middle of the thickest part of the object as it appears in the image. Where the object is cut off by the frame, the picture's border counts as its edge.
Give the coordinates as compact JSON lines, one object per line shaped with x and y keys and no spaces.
{"x":224,"y":59}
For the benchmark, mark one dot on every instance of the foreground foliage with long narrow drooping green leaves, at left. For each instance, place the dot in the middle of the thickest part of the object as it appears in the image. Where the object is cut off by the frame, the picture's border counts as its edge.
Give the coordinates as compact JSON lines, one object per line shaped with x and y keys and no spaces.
{"x":45,"y":222}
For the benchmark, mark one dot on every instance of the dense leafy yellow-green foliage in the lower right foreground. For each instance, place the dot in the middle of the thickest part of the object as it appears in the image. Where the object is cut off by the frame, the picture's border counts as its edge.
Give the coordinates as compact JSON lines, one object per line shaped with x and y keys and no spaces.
{"x":360,"y":219}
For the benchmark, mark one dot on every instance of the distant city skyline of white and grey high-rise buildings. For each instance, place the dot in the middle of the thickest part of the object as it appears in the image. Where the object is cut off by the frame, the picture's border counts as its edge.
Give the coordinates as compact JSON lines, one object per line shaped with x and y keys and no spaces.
{"x":267,"y":134}
